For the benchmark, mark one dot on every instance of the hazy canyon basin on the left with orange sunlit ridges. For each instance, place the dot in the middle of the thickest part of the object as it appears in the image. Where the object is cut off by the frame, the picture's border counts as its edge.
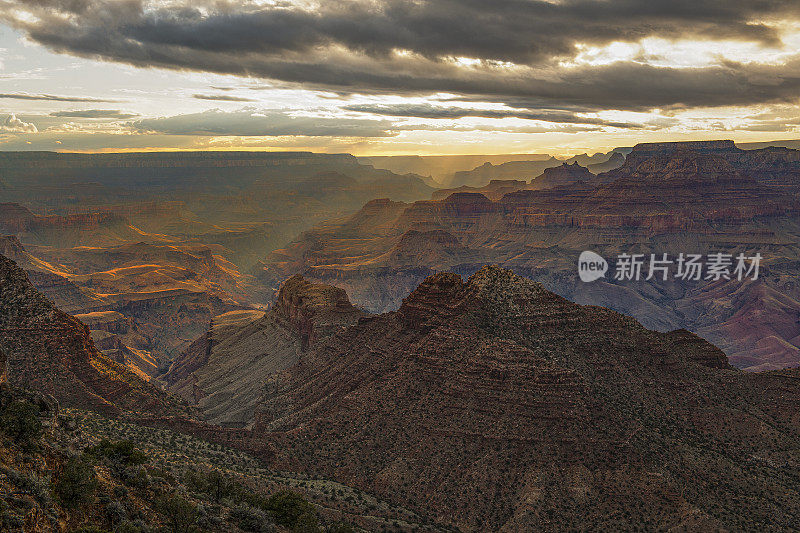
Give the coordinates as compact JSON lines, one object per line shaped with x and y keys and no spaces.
{"x":167,"y":240}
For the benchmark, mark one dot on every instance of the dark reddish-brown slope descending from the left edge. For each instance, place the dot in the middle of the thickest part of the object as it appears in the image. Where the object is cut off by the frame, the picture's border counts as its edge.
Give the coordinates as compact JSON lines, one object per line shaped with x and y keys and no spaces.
{"x":51,"y":352}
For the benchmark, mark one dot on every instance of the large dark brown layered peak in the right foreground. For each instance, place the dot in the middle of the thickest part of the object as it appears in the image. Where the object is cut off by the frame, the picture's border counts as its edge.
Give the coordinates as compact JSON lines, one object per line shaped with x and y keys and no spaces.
{"x":495,"y":405}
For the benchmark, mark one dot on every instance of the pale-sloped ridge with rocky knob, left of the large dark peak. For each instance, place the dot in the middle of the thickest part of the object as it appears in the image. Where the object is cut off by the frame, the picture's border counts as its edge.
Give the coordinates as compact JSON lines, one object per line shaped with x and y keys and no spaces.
{"x":223,"y":373}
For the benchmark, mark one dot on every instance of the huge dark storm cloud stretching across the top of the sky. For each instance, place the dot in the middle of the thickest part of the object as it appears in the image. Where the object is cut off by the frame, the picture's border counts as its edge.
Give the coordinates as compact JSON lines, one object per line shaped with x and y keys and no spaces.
{"x":351,"y":45}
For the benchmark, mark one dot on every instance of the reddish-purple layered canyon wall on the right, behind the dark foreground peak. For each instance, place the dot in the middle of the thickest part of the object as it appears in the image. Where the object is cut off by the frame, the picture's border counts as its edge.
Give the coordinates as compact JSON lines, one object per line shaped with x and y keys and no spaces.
{"x":703,"y":198}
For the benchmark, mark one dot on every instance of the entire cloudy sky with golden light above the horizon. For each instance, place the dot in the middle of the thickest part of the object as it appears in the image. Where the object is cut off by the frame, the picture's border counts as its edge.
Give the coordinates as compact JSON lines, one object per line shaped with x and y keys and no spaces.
{"x":395,"y":77}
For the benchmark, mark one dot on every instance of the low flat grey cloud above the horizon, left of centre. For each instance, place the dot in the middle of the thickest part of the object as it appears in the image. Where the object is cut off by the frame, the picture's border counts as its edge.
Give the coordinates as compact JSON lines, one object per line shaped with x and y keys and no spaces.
{"x":249,"y":122}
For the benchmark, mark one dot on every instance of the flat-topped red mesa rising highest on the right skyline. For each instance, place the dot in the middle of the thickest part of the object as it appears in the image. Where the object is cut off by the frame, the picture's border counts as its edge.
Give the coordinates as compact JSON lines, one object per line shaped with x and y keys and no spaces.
{"x":675,"y":192}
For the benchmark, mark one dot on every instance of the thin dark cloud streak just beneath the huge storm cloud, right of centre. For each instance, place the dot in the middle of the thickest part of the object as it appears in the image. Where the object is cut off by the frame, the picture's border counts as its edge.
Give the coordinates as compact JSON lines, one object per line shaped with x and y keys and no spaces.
{"x":434,"y":112}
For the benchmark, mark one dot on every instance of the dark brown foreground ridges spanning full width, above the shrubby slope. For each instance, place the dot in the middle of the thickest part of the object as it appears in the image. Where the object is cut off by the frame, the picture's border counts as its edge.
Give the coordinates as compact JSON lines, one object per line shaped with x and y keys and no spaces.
{"x":485,"y":405}
